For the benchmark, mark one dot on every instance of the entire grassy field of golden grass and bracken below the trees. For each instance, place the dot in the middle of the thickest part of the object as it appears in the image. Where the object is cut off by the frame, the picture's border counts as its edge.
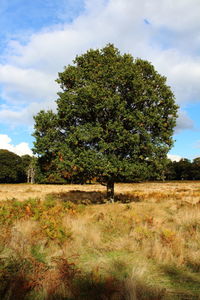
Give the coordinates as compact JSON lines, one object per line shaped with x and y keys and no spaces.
{"x":65,"y":242}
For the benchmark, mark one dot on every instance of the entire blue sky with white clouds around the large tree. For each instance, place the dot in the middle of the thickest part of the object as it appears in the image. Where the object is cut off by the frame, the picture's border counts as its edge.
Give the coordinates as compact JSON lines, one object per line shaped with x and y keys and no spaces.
{"x":38,"y":38}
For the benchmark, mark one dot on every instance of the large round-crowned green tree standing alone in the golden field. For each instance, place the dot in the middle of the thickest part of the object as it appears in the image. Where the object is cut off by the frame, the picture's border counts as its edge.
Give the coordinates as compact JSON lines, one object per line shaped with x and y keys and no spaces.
{"x":115,"y":117}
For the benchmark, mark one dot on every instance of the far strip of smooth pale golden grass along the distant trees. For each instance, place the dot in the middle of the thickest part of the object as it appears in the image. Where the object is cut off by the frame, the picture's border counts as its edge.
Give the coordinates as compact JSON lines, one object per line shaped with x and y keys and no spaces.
{"x":188,"y":192}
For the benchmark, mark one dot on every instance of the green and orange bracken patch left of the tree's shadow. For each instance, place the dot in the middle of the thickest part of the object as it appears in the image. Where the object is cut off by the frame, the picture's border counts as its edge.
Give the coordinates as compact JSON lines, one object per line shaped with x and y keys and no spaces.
{"x":48,"y":213}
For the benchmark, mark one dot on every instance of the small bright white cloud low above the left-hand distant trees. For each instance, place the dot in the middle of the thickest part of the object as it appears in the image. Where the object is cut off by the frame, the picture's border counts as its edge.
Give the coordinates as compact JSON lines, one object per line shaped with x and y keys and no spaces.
{"x":20,"y":149}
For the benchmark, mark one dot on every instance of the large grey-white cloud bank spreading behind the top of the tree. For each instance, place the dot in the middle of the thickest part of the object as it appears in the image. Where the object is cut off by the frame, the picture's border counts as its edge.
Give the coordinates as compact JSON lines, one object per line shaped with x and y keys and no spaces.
{"x":28,"y":73}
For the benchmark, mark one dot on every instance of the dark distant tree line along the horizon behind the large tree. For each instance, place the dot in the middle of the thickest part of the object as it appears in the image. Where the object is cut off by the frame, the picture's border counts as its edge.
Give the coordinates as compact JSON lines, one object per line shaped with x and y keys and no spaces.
{"x":19,"y":169}
